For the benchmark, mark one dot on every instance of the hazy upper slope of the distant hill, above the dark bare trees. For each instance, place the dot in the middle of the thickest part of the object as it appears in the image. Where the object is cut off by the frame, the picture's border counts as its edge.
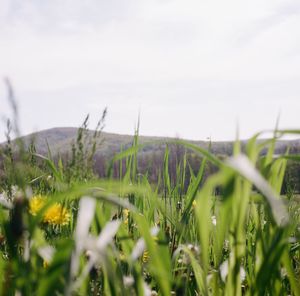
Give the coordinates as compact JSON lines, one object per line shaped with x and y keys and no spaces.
{"x":60,"y":141}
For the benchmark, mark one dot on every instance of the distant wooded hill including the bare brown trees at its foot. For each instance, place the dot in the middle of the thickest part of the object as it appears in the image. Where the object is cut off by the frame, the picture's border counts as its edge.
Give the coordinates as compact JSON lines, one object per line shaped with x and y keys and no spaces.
{"x":151,"y":156}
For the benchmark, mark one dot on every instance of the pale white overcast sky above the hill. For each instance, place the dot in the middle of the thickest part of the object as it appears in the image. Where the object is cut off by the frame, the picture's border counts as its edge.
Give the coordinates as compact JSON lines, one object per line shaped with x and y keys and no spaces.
{"x":194,"y":69}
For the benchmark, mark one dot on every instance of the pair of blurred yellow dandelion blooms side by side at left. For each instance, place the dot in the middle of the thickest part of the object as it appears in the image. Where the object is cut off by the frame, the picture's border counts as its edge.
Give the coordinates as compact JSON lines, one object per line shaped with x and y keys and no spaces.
{"x":56,"y":214}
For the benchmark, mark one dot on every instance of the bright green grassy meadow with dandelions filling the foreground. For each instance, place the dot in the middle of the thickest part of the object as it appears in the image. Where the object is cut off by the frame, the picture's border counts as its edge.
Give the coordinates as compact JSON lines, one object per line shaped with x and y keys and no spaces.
{"x":63,"y":231}
